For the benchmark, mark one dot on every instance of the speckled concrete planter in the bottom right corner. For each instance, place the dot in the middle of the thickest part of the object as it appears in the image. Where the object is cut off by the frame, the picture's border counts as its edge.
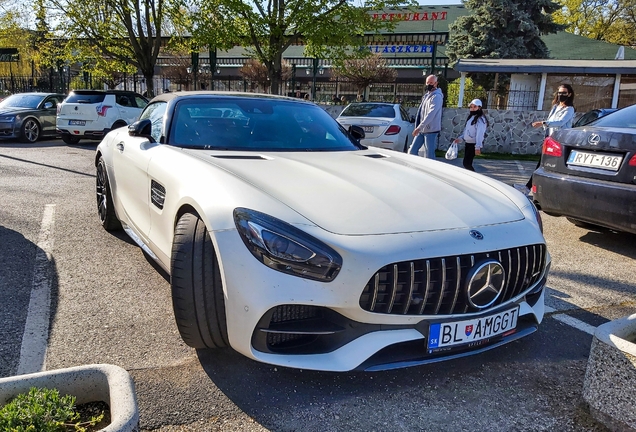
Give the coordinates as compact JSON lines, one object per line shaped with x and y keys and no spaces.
{"x":610,"y":378}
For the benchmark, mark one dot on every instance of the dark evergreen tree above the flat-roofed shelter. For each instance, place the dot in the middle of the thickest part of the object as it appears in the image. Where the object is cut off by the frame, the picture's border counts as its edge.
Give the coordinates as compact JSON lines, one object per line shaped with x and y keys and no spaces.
{"x":502,"y":29}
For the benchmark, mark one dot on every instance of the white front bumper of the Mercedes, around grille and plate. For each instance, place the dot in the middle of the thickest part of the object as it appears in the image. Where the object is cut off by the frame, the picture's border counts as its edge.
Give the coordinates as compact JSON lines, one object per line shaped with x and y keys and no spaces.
{"x":337,"y":334}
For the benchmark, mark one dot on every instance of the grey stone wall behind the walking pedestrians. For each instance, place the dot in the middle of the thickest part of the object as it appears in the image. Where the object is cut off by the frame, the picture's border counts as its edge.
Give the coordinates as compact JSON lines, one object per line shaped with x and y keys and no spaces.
{"x":509,"y":131}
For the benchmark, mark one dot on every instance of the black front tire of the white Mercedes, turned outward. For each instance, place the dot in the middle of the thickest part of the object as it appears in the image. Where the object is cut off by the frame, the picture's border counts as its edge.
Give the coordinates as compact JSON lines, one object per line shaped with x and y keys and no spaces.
{"x":197,"y":290}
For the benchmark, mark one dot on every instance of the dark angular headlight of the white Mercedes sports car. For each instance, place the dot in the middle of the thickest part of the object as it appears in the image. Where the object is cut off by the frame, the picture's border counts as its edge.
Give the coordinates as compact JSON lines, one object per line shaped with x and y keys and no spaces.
{"x":286,"y":248}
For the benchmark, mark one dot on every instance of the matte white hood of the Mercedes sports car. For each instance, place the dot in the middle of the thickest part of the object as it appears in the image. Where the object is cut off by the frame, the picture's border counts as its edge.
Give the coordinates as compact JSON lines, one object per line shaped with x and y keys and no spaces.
{"x":365,"y":192}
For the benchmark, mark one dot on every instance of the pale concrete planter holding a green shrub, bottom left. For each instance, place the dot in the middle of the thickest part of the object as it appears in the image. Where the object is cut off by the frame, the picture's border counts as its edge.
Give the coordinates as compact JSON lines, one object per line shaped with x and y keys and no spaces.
{"x":90,"y":383}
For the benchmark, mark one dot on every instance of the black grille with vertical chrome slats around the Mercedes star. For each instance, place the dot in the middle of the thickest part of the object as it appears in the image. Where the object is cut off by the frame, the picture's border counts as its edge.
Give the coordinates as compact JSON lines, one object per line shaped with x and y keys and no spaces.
{"x":436,"y":286}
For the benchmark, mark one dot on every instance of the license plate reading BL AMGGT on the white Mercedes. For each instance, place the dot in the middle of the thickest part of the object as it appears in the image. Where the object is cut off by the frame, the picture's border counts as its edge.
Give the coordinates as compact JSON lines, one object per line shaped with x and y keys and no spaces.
{"x":471,"y":331}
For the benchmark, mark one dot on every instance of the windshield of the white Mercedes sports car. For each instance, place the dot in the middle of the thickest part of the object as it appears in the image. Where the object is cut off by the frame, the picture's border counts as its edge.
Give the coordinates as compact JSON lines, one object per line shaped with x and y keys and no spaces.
{"x":256,"y":124}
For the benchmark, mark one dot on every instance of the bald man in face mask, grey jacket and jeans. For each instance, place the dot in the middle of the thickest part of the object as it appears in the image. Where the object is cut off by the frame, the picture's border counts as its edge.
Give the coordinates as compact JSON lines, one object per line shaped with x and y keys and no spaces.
{"x":428,"y":120}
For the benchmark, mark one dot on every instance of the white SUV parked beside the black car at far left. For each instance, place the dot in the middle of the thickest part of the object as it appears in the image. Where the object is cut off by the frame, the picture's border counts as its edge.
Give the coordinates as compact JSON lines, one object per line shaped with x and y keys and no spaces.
{"x":91,"y":114}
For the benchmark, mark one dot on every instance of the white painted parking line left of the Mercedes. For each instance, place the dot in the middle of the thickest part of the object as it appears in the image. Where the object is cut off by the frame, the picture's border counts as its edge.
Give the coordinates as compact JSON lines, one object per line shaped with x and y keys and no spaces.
{"x":36,"y":328}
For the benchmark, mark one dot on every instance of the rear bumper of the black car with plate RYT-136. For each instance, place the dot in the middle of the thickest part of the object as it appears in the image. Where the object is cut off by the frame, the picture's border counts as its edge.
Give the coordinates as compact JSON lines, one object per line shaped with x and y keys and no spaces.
{"x":599,"y":202}
